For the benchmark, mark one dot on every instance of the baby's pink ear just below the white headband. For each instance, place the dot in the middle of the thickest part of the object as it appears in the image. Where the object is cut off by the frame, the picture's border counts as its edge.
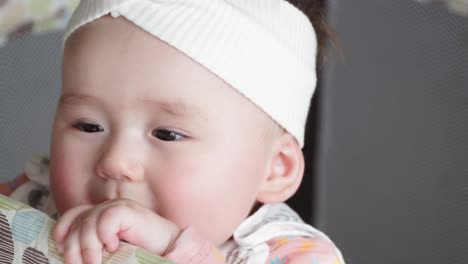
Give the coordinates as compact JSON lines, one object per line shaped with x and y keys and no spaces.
{"x":285,"y":171}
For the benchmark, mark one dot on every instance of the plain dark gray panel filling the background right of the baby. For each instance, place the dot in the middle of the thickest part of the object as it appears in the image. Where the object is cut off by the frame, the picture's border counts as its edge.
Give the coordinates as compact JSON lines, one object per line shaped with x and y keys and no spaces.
{"x":392,"y":172}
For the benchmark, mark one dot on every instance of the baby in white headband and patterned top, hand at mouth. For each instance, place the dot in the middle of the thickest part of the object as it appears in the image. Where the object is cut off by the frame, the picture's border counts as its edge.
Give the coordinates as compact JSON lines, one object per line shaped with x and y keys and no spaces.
{"x":179,"y":129}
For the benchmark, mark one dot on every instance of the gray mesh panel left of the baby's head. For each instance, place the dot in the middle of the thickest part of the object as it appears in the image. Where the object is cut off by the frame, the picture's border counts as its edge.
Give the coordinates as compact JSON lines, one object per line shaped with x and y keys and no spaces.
{"x":29,"y":89}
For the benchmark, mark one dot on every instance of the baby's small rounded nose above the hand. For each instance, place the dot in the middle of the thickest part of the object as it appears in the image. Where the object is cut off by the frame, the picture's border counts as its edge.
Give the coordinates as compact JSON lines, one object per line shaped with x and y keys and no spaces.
{"x":120,"y":163}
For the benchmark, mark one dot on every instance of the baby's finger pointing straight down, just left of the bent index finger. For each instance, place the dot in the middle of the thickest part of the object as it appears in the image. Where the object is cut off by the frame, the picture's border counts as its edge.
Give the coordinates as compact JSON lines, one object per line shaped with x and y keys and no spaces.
{"x":91,"y":246}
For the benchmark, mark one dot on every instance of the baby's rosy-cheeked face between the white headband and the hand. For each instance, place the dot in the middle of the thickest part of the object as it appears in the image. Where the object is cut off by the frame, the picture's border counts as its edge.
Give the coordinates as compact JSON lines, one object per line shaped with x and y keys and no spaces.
{"x":138,"y":119}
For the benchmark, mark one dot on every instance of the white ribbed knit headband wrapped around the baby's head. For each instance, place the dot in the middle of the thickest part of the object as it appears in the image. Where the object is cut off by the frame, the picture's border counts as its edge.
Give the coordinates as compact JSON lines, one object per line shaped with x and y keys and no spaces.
{"x":263,"y":48}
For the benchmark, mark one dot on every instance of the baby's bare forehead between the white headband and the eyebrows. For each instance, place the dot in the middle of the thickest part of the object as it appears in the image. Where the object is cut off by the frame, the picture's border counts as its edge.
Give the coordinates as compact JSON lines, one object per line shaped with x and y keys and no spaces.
{"x":150,"y":71}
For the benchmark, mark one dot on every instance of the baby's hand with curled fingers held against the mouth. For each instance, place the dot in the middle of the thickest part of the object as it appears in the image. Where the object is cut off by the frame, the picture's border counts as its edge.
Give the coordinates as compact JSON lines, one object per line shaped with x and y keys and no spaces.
{"x":82,"y":232}
